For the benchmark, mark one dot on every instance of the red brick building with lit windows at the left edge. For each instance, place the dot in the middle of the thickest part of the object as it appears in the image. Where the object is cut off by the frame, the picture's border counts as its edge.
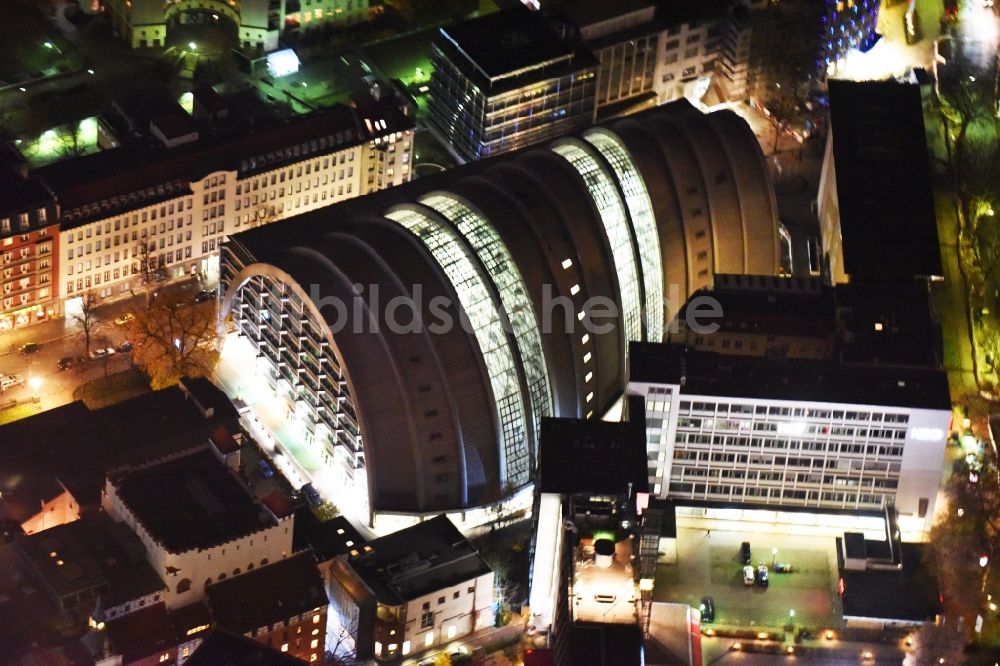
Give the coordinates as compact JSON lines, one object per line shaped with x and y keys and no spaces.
{"x":29,"y":238}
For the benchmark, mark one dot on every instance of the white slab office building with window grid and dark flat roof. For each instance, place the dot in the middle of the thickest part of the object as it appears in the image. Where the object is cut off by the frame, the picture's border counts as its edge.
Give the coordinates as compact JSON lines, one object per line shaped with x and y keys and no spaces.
{"x":763,"y":445}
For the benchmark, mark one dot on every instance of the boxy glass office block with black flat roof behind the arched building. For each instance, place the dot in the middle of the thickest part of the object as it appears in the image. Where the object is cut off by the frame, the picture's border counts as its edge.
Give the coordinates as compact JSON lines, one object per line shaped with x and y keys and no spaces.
{"x":508,"y":80}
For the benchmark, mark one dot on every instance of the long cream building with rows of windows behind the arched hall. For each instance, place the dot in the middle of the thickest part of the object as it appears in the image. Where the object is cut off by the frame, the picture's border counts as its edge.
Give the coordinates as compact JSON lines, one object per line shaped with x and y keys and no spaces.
{"x":182,"y":220}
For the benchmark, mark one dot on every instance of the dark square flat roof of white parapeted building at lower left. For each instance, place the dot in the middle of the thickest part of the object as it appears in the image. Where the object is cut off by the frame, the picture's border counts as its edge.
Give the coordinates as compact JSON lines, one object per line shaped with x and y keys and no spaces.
{"x":190,"y":502}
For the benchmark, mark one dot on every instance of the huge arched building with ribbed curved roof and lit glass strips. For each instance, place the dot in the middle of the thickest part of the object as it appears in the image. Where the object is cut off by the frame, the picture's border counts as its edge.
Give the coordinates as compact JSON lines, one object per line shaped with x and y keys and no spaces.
{"x":498,"y":241}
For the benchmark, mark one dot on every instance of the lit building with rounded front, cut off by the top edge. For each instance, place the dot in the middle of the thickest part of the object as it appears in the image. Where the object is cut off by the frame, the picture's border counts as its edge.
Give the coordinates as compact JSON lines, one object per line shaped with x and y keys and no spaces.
{"x":258,"y":23}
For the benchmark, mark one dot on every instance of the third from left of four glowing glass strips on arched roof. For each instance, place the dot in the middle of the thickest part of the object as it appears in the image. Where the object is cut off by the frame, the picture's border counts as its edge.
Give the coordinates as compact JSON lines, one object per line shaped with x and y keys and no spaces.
{"x":616,"y":225}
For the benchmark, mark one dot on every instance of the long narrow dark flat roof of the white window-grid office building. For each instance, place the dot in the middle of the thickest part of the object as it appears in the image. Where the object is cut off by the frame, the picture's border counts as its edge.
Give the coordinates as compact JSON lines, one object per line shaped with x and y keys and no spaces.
{"x":711,"y":374}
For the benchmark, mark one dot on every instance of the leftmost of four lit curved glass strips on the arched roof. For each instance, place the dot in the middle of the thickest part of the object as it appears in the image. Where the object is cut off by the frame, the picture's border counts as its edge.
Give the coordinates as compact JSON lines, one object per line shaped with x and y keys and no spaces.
{"x":485,"y":320}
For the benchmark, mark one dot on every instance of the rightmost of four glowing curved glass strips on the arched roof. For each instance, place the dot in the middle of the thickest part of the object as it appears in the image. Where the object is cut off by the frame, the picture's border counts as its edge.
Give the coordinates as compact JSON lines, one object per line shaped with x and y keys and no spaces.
{"x":640,"y":210}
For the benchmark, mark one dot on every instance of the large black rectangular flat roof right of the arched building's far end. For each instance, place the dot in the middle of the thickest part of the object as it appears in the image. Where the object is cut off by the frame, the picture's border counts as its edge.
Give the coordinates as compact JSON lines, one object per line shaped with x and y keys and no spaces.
{"x":887,"y":215}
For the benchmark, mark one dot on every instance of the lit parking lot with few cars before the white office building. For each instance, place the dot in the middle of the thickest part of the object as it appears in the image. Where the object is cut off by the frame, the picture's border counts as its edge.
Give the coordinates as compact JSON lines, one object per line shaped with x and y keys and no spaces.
{"x":709,"y":563}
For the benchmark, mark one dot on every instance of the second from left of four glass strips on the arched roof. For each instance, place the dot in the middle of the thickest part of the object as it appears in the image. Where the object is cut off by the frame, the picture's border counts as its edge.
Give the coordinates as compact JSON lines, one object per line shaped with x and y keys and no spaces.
{"x":479,"y":233}
